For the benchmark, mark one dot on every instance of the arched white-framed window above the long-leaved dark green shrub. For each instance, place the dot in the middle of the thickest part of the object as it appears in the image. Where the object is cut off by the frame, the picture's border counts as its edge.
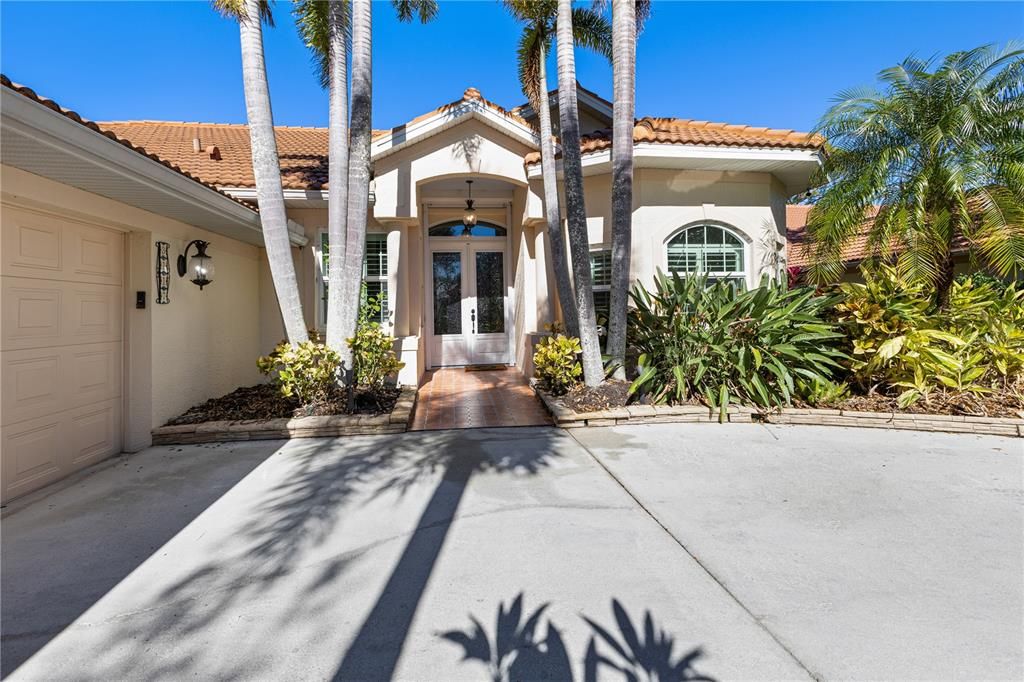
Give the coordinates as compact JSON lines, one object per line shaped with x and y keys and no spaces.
{"x":710,"y":250}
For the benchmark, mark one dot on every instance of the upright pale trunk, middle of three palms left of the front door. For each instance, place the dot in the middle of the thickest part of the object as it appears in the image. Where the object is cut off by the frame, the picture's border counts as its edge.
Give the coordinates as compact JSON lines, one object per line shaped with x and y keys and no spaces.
{"x":337,"y":175}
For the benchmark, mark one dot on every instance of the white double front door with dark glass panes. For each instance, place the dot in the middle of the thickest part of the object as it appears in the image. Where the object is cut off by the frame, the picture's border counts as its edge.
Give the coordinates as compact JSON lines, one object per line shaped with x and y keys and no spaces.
{"x":468,"y":314}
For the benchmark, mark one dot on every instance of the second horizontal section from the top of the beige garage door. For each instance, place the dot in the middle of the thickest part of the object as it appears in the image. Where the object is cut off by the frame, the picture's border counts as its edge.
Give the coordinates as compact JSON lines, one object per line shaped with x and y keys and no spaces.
{"x":39,"y":314}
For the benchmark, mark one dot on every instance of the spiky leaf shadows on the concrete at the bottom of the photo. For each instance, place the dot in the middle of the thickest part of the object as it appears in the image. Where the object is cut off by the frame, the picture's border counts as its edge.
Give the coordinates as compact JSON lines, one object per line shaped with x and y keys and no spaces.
{"x":519,"y":652}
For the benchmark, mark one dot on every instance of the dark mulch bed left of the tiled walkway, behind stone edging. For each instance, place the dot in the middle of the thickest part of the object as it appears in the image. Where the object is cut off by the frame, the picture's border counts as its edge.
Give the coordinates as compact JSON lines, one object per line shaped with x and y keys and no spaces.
{"x":266,"y":402}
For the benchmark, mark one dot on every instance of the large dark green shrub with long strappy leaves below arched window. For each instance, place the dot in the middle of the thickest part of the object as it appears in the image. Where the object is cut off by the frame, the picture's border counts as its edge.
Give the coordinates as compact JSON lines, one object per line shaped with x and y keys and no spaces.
{"x":726,"y":345}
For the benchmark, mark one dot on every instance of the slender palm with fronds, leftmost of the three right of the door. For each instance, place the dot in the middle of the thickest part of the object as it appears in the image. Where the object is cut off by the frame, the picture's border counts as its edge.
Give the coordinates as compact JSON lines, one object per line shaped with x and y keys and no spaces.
{"x":590,"y":30}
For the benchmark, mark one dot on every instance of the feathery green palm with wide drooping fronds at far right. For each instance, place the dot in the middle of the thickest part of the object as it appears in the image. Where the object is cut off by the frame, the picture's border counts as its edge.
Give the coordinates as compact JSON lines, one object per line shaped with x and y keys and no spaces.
{"x":938,"y":157}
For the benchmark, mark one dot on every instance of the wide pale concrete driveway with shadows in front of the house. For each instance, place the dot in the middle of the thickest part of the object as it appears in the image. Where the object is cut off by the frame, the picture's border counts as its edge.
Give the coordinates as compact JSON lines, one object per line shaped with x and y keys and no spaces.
{"x":690,"y":550}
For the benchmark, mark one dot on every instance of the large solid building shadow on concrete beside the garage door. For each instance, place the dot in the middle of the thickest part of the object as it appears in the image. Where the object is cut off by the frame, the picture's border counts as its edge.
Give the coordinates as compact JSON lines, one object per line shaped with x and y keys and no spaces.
{"x":104,"y":531}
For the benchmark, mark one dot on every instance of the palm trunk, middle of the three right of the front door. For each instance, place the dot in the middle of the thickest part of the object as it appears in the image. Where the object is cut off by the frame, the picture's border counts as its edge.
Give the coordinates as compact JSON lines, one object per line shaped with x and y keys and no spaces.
{"x":593,"y":372}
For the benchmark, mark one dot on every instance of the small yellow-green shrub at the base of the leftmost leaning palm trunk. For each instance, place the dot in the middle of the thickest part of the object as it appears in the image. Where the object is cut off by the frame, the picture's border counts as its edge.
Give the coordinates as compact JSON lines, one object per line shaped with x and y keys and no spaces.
{"x":307,"y":371}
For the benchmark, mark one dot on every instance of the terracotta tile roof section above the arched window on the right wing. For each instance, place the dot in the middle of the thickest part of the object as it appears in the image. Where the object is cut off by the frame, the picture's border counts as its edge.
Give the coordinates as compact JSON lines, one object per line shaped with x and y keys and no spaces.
{"x":688,"y":132}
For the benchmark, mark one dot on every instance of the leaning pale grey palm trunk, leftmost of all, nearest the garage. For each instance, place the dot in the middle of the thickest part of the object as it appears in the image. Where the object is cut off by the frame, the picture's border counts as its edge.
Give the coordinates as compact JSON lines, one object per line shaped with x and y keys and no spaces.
{"x":267,"y":169}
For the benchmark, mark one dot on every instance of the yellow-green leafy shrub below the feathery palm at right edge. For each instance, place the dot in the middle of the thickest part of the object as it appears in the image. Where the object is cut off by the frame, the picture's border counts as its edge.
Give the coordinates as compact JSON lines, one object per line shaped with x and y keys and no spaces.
{"x":901,"y":340}
